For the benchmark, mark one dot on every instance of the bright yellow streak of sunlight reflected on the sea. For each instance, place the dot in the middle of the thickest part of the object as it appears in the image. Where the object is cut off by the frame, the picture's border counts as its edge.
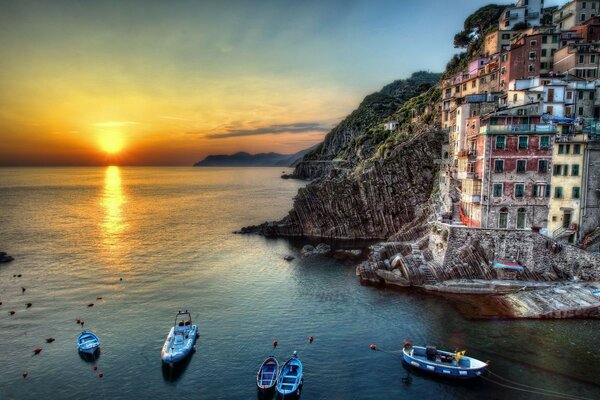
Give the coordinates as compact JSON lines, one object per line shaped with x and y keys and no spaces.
{"x":113,"y":199}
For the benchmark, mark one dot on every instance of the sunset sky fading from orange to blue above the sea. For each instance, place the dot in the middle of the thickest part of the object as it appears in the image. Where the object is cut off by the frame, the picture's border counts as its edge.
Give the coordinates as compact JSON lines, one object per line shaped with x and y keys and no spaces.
{"x":170,"y":82}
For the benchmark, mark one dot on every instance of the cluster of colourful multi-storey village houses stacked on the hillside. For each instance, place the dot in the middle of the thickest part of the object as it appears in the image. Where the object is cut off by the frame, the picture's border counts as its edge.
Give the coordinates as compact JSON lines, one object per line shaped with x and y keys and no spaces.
{"x":524,"y":125}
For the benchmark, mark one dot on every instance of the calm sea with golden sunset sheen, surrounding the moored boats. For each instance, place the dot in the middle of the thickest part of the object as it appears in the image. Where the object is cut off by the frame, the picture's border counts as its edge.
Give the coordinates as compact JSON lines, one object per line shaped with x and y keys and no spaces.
{"x":166,"y":232}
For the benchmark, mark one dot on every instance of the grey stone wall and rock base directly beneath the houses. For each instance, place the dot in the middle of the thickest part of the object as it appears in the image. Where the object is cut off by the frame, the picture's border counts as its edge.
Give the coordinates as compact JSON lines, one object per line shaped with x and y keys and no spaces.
{"x":530,"y":249}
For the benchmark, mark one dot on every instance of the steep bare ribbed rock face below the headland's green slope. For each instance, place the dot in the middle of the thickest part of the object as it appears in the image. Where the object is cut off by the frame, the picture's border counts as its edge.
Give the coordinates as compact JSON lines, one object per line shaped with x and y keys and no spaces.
{"x":373,"y":203}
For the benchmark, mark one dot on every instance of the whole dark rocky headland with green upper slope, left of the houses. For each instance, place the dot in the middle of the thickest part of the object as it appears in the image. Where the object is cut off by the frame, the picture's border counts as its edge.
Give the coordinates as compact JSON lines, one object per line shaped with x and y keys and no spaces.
{"x":370,"y":182}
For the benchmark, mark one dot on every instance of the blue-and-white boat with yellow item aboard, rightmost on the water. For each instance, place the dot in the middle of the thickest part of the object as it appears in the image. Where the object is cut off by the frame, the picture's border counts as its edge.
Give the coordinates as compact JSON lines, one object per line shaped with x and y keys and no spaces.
{"x":443,"y":363}
